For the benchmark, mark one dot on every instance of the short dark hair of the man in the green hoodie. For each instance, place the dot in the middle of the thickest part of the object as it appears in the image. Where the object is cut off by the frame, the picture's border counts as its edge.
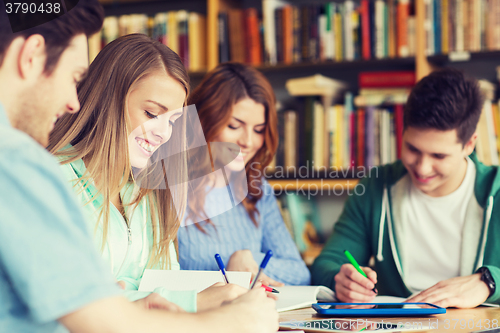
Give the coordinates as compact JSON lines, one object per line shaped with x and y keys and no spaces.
{"x":445,"y":100}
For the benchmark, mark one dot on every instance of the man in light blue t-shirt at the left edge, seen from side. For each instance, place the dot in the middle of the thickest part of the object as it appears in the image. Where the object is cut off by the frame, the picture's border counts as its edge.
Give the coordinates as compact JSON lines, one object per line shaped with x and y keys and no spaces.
{"x":49,"y":270}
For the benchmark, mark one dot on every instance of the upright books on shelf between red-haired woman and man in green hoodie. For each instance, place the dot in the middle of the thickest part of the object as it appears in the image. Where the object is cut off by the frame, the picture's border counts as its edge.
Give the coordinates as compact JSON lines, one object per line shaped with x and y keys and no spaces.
{"x":365,"y":137}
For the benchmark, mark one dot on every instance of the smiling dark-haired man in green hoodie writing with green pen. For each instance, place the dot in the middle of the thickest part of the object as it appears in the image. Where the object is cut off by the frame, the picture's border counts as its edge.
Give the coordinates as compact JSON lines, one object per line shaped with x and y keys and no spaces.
{"x":431,"y":220}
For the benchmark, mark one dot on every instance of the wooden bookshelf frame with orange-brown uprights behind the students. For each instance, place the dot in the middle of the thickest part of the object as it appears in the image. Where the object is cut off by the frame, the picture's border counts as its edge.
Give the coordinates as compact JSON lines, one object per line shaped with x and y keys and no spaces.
{"x":420,"y":62}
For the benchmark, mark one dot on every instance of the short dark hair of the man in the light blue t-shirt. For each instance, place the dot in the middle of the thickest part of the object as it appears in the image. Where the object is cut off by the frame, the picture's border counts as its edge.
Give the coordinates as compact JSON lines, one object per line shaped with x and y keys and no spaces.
{"x":85,"y":18}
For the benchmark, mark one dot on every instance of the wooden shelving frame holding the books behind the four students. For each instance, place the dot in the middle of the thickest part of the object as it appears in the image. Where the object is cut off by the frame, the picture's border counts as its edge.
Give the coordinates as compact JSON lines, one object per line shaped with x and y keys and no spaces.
{"x":419,"y":62}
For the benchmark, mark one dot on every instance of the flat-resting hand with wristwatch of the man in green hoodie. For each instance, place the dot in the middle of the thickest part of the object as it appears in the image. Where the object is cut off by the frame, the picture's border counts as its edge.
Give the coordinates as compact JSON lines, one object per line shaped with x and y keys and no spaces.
{"x":459,"y":292}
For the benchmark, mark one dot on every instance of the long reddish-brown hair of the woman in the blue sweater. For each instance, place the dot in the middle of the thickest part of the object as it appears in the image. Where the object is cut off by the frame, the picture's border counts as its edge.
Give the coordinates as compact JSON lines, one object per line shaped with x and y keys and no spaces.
{"x":214,"y":98}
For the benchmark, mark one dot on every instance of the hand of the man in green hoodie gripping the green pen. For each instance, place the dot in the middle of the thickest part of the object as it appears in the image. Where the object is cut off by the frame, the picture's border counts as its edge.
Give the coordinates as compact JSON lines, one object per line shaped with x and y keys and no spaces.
{"x":352,"y":287}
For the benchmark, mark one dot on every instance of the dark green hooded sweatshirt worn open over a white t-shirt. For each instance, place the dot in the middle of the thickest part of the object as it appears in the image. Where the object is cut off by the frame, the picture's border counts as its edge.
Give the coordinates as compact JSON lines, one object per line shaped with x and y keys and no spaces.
{"x":372,"y":224}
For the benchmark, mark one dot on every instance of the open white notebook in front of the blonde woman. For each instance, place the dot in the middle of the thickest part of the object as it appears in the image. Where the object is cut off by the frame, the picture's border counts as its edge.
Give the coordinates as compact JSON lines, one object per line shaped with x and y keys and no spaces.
{"x":189,"y":280}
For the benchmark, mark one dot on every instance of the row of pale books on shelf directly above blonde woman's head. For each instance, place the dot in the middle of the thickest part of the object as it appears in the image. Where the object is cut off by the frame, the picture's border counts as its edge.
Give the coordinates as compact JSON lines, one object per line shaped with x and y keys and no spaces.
{"x":184,"y":32}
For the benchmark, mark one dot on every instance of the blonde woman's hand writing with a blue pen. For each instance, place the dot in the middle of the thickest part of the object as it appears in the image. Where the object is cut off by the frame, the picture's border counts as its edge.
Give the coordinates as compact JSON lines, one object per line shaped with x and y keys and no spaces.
{"x":218,"y":293}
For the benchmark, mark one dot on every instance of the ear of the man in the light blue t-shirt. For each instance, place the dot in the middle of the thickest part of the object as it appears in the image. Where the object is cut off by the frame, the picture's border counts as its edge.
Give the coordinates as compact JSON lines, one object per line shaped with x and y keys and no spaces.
{"x":32,"y":57}
